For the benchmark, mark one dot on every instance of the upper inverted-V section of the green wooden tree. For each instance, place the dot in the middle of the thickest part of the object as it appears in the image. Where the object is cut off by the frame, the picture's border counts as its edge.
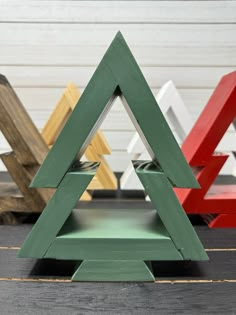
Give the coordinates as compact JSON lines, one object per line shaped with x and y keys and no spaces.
{"x":117,"y":73}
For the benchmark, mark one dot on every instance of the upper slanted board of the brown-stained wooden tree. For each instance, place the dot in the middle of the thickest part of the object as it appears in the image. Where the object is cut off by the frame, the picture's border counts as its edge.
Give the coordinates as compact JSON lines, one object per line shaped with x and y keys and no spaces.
{"x":18,"y":128}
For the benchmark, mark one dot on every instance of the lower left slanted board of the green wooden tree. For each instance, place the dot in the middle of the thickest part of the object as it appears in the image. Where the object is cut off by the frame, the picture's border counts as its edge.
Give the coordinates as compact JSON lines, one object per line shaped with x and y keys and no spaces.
{"x":57,"y":210}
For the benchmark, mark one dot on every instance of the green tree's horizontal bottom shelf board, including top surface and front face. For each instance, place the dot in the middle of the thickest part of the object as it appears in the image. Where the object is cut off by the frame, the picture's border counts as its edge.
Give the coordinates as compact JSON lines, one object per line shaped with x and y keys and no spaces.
{"x":113,"y":234}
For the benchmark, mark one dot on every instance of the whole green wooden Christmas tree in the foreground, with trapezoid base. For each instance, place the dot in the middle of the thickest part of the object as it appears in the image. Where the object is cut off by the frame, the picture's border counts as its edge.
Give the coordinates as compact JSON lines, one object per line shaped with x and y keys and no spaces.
{"x":114,"y":244}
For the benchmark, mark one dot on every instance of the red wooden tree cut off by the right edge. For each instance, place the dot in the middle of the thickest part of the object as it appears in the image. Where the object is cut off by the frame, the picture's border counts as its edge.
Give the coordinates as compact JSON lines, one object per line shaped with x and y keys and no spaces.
{"x":199,"y":148}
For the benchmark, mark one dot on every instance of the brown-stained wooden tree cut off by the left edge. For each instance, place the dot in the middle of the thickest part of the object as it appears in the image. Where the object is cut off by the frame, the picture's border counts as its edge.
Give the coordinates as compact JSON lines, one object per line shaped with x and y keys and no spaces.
{"x":29,"y":152}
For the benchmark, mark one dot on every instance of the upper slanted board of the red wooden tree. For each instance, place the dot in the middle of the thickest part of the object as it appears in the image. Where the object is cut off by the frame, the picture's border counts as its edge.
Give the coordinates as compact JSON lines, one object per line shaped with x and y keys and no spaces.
{"x":213,"y":122}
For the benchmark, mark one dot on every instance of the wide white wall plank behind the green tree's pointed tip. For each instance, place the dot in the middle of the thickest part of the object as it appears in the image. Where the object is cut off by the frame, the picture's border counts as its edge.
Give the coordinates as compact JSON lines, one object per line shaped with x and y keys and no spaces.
{"x":59,"y":44}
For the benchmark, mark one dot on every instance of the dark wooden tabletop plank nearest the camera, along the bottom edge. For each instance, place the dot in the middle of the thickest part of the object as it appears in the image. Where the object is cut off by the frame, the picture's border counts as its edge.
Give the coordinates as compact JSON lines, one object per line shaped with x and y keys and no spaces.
{"x":122,"y":298}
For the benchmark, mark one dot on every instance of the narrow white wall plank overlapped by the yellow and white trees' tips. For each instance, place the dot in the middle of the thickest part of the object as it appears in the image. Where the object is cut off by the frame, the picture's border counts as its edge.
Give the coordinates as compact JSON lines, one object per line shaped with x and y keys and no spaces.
{"x":156,"y":76}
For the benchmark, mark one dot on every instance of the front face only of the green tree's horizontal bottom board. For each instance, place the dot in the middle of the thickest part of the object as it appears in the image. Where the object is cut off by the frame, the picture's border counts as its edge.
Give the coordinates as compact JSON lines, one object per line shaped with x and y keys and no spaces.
{"x":77,"y":249}
